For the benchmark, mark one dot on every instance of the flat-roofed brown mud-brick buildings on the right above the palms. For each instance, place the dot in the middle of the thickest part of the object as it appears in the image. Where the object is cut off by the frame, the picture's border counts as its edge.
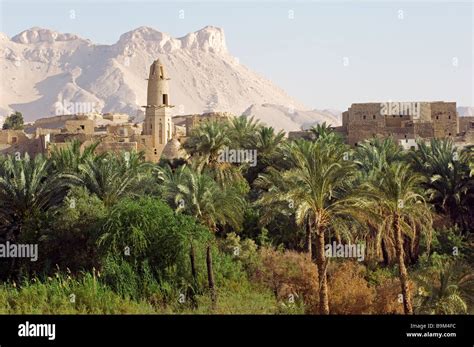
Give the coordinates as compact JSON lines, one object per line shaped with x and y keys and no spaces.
{"x":406,"y":122}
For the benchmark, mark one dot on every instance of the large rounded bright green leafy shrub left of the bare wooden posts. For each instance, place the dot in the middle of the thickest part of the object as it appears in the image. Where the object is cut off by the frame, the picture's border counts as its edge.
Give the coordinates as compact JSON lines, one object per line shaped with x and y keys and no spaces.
{"x":146,"y":244}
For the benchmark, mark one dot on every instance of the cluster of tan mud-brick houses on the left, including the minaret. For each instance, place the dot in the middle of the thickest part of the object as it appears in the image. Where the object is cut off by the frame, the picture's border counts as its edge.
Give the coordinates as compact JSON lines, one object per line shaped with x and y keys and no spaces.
{"x":159,"y":136}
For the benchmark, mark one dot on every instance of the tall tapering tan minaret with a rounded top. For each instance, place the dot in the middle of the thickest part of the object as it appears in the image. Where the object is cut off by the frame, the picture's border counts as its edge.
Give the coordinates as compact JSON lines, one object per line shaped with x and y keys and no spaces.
{"x":157,"y":122}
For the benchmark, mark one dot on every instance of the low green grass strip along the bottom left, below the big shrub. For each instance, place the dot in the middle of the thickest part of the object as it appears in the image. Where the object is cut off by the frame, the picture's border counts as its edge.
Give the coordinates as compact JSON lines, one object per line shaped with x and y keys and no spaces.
{"x":52,"y":295}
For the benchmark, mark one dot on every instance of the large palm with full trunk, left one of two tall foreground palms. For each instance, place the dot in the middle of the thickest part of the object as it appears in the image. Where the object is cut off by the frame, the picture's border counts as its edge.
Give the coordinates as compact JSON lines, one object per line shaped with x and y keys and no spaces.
{"x":317,"y":186}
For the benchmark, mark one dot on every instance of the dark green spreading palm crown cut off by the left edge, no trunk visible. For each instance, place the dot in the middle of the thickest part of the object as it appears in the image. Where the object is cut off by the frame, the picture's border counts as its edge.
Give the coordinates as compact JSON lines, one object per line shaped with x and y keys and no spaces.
{"x":28,"y":186}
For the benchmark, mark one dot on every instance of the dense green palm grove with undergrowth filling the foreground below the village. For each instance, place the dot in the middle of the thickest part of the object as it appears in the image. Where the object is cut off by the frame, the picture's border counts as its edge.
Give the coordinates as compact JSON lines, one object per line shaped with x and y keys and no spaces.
{"x":120,"y":235}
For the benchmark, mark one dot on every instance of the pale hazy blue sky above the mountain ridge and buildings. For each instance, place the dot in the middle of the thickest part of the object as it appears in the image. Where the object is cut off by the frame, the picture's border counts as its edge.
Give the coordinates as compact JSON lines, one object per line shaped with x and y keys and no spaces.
{"x":328,"y":54}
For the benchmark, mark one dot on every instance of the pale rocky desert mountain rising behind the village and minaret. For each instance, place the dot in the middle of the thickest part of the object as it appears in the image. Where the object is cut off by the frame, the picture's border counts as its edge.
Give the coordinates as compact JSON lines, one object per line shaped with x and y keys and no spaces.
{"x":45,"y":73}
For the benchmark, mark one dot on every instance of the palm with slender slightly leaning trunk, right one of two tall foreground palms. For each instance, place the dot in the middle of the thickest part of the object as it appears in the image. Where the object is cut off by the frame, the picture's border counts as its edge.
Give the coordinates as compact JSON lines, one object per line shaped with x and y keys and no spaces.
{"x":392,"y":195}
